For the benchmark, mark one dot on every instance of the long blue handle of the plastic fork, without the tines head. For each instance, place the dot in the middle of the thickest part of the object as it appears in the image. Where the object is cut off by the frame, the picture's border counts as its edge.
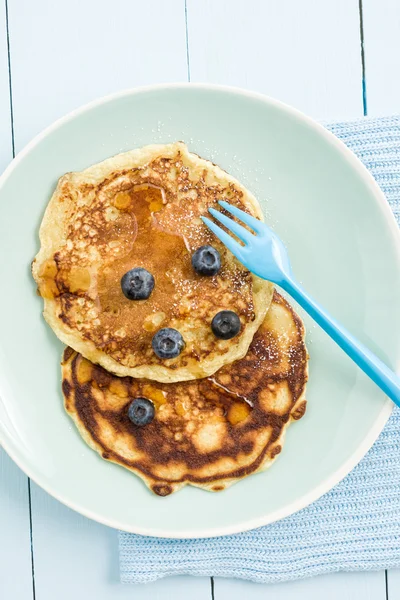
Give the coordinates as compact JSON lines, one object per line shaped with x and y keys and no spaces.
{"x":384,"y":377}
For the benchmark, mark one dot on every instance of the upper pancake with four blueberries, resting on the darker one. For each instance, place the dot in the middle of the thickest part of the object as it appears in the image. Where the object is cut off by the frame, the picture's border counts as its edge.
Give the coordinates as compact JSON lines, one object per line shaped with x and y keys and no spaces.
{"x":142,"y":209}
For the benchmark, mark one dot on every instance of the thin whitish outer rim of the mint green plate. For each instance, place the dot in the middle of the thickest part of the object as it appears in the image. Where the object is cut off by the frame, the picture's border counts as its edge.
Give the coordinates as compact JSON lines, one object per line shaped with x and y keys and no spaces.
{"x":329,"y":482}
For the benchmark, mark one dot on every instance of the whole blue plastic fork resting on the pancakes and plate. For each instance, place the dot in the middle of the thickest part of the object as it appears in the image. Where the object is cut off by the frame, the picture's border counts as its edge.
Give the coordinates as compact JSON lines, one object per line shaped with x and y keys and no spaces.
{"x":264,"y":254}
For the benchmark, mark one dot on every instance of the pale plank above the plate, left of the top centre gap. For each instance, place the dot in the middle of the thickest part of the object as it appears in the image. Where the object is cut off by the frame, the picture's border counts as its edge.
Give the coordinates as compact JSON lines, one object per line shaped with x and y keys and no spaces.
{"x":67,"y":53}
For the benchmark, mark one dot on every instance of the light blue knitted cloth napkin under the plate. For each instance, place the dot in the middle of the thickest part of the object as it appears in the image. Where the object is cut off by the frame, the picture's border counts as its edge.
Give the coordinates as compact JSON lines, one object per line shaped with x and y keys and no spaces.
{"x":356,"y":526}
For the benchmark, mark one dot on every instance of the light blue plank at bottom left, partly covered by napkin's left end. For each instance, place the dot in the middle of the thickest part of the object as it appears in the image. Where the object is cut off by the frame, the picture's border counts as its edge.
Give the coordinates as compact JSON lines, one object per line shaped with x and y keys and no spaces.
{"x":78,"y":558}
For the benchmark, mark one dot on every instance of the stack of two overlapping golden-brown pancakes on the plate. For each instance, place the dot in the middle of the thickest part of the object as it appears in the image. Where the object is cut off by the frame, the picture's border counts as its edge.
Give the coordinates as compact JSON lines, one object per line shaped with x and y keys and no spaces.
{"x":221,"y":407}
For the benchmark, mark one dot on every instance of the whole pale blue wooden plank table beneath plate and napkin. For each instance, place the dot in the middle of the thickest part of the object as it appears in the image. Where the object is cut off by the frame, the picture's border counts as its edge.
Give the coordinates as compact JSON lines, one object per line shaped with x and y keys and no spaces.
{"x":333,"y":59}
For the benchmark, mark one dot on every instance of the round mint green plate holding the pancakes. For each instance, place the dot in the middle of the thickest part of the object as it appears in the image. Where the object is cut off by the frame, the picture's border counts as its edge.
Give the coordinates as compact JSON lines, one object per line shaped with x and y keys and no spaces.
{"x":345,"y":249}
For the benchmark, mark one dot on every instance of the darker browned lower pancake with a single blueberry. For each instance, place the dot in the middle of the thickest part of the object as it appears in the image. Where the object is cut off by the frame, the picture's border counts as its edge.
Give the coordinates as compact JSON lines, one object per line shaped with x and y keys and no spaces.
{"x":207,"y":433}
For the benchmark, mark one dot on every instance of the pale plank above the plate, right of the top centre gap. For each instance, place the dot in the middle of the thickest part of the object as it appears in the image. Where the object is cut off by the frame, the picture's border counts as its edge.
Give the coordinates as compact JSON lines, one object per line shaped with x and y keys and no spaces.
{"x":305,"y":53}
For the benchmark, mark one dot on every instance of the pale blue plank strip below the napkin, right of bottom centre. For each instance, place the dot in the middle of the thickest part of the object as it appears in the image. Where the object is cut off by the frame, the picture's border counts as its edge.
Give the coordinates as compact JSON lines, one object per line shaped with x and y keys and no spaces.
{"x":343,"y":586}
